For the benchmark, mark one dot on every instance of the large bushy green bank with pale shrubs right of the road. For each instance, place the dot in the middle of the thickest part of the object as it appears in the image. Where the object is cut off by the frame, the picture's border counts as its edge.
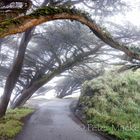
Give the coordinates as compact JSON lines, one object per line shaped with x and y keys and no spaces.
{"x":112,"y":104}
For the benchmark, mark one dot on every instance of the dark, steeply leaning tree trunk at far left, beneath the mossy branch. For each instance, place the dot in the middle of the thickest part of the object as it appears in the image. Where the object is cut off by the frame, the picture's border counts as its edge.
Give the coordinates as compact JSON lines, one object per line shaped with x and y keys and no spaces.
{"x":14,"y":73}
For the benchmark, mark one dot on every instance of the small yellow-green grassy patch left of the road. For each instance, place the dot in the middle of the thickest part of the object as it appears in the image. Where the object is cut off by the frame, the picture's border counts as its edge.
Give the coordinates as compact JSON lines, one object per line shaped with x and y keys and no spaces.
{"x":12,"y":123}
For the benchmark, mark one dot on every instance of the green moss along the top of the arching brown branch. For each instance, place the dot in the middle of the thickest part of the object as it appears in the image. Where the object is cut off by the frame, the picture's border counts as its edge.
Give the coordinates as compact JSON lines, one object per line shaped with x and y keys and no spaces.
{"x":44,"y":11}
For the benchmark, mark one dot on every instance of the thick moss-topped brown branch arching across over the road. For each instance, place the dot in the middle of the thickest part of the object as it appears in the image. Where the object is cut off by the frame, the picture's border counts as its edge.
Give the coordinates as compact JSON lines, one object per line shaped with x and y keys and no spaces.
{"x":53,"y":13}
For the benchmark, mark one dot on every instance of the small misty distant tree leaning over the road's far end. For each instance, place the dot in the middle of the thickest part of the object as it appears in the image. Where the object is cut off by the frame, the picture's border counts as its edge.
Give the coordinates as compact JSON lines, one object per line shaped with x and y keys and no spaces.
{"x":75,"y":77}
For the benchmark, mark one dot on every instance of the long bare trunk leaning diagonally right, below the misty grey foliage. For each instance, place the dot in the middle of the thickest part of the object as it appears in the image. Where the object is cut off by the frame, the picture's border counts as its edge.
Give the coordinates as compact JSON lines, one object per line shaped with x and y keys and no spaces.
{"x":27,"y":93}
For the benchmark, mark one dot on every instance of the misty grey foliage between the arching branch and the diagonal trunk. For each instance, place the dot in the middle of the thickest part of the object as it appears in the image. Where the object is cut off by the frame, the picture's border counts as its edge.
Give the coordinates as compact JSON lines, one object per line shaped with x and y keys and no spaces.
{"x":56,"y":51}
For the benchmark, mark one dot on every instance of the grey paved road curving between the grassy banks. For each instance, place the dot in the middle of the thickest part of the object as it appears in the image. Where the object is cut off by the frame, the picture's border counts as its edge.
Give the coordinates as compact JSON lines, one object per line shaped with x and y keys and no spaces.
{"x":54,"y":121}
